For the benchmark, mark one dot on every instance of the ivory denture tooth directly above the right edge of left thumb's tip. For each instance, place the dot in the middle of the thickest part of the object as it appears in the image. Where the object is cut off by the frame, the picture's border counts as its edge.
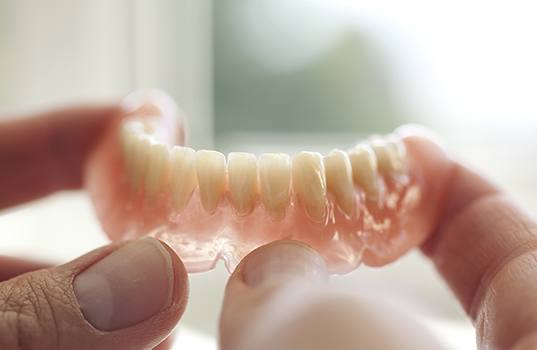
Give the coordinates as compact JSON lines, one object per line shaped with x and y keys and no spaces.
{"x":182,"y":175}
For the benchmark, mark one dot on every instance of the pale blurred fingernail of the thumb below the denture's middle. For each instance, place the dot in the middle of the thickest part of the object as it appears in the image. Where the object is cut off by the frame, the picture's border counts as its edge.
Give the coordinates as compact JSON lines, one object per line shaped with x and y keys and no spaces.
{"x":283,"y":261}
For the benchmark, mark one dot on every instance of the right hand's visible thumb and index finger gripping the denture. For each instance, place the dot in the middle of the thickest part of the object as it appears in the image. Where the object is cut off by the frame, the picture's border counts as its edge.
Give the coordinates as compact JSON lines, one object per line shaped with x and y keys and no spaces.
{"x":483,"y":246}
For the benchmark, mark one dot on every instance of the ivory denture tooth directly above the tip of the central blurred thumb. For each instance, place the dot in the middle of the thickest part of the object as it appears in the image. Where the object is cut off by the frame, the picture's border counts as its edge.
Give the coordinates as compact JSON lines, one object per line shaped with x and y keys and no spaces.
{"x":275,"y":181}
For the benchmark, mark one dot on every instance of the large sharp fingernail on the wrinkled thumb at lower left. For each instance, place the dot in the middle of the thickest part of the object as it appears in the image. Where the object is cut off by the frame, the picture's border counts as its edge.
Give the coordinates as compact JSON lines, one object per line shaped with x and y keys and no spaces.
{"x":126,"y":287}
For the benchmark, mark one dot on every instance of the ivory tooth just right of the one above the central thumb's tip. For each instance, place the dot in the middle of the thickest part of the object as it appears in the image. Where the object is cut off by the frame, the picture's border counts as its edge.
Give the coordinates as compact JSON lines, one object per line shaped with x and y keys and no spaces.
{"x":309,"y":183}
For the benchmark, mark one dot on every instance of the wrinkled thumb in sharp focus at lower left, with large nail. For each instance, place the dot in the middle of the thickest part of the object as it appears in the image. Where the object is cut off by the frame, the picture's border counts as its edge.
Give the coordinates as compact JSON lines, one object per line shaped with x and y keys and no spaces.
{"x":127,"y":295}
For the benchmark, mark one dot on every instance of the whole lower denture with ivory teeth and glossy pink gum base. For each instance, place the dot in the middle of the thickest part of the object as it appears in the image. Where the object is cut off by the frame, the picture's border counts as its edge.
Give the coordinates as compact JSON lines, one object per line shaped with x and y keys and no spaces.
{"x":357,"y":205}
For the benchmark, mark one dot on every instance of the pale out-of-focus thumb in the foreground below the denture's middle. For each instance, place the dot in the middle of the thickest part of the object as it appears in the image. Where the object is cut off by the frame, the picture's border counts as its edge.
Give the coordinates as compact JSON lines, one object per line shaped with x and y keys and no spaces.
{"x":277,"y":298}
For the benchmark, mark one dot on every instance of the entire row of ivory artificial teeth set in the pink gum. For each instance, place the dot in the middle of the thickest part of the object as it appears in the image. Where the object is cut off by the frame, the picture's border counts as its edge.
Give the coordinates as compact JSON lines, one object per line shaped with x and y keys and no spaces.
{"x":157,"y":168}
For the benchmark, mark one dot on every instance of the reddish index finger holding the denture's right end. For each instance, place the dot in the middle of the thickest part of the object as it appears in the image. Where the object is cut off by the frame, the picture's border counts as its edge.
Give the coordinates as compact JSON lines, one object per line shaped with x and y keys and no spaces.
{"x":484,"y":246}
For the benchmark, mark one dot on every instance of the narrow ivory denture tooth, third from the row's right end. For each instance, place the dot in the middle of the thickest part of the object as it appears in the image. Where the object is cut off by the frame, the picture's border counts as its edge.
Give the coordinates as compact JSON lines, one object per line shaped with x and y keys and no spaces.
{"x":364,"y":169}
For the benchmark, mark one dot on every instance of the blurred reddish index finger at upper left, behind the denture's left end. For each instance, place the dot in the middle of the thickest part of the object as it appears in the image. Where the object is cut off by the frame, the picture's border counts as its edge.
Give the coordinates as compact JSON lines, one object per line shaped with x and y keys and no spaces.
{"x":46,"y":152}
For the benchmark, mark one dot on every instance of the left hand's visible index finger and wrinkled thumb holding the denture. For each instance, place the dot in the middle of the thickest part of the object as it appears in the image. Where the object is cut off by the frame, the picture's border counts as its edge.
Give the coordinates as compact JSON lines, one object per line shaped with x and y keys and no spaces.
{"x":127,"y":295}
